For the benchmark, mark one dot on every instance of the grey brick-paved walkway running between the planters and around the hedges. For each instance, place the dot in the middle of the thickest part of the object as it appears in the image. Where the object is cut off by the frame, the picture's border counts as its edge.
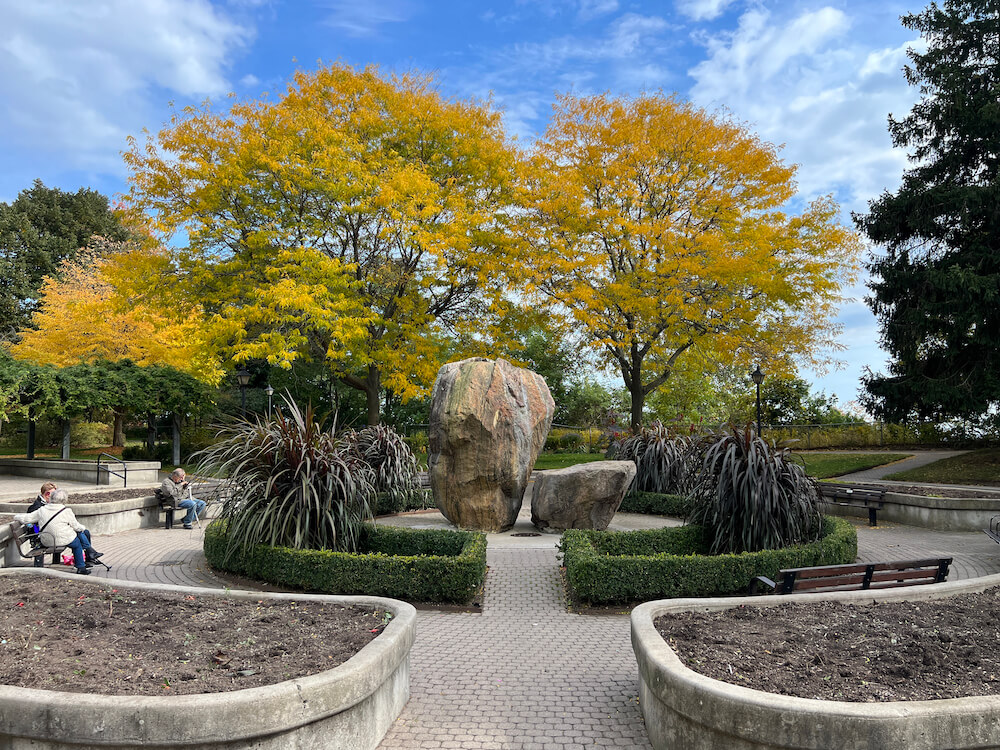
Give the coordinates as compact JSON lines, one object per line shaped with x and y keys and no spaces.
{"x":525,"y":673}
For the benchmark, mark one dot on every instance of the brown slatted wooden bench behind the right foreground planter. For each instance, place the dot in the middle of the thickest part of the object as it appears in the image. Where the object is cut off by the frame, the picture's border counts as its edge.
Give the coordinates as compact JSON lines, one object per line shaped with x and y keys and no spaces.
{"x":856,"y":576}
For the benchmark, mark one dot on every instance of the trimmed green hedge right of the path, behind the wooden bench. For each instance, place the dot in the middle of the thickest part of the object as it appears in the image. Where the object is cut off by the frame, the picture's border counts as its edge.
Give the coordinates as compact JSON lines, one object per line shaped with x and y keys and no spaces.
{"x":604,"y":567}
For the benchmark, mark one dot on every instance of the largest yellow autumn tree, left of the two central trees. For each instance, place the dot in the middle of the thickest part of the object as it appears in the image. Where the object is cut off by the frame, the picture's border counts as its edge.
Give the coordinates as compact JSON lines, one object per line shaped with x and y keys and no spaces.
{"x":350,"y":222}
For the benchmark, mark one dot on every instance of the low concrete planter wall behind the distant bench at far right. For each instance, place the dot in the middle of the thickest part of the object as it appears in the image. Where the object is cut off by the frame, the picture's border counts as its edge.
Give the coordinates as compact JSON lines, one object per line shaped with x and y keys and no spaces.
{"x":942,"y":513}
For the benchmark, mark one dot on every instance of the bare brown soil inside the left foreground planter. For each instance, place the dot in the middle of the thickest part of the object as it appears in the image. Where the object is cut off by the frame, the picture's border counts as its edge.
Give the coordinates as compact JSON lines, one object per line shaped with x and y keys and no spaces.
{"x":83,"y":637}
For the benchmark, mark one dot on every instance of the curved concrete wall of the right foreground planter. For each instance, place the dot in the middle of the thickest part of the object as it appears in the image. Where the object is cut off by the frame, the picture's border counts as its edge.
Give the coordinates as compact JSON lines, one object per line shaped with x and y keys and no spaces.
{"x":683,"y":709}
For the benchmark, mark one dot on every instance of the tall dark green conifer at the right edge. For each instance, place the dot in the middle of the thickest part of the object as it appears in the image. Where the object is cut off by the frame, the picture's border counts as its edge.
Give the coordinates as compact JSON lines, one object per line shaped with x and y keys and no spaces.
{"x":936,"y":288}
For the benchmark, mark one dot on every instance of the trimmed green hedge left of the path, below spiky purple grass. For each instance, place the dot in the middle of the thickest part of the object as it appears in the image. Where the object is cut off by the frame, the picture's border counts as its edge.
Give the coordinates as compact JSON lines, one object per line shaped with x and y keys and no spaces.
{"x":420,"y":565}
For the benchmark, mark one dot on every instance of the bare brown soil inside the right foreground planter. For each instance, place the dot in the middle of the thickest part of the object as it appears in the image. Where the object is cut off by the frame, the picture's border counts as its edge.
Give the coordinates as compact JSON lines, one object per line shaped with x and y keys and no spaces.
{"x":888,"y":651}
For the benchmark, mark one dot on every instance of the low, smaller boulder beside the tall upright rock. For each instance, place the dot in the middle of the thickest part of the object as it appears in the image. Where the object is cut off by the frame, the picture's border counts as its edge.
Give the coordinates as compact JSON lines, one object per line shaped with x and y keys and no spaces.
{"x":584,"y":496}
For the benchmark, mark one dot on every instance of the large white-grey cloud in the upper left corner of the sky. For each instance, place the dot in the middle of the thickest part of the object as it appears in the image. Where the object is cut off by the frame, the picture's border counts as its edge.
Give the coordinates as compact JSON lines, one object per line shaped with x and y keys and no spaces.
{"x":77,"y":77}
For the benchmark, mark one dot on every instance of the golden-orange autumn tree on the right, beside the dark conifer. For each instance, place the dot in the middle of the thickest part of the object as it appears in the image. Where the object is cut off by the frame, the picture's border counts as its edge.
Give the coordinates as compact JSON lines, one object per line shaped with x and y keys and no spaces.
{"x":663,"y":232}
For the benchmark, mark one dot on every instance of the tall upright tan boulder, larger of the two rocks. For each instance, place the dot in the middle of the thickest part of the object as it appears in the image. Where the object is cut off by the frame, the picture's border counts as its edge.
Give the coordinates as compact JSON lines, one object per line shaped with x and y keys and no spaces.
{"x":488,"y":423}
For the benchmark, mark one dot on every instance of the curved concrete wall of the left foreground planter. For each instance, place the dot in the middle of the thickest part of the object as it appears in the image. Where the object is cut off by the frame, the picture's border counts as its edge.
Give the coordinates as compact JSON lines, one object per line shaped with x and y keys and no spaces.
{"x":351,"y":706}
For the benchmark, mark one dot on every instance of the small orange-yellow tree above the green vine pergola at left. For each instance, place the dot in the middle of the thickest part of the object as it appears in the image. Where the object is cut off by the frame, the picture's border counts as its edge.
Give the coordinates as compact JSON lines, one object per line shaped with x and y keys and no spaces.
{"x":114,"y":302}
